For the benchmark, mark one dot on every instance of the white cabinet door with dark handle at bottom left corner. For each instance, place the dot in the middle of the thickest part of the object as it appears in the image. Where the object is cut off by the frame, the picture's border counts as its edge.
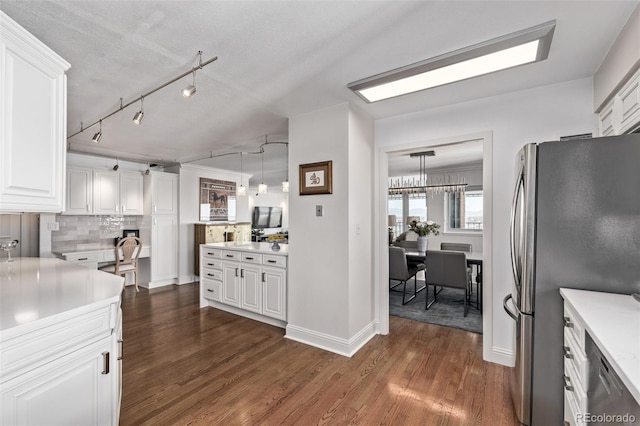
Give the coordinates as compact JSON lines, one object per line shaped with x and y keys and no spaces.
{"x":73,"y":389}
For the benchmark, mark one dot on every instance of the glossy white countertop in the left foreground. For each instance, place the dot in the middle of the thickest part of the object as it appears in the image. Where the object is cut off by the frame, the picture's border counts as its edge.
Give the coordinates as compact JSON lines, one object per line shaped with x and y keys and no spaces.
{"x":33,"y":288}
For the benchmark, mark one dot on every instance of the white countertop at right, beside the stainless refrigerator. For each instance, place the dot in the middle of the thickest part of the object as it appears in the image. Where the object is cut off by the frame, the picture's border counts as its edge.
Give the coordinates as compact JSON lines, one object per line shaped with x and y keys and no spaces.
{"x":613,"y":322}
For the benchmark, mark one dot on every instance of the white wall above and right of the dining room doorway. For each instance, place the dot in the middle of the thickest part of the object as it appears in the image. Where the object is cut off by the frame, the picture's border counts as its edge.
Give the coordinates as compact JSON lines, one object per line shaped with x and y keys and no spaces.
{"x":534,"y":115}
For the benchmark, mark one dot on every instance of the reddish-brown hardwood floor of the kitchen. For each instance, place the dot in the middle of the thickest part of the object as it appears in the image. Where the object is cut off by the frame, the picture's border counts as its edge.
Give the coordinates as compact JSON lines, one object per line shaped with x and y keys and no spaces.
{"x":189,"y":366}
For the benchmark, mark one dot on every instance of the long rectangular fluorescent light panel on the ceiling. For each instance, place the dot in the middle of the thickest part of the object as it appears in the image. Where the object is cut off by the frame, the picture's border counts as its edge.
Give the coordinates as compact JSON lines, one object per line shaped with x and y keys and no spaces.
{"x":522,"y":47}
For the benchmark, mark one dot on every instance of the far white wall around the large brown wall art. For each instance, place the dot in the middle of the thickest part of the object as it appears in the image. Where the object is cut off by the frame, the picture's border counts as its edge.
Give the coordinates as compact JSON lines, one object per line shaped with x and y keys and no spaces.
{"x":190,"y":210}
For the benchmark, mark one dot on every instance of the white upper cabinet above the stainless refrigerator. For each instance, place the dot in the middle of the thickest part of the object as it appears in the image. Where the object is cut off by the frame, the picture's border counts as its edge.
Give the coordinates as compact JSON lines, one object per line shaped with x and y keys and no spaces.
{"x":622,"y":114}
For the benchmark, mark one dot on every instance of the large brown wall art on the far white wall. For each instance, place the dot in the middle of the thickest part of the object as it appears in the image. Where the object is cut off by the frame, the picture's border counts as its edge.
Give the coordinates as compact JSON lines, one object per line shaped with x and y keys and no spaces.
{"x":215,"y":197}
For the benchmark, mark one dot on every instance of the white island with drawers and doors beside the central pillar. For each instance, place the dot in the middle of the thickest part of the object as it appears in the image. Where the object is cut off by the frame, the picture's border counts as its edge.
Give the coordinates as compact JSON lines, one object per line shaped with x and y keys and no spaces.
{"x":248,"y":279}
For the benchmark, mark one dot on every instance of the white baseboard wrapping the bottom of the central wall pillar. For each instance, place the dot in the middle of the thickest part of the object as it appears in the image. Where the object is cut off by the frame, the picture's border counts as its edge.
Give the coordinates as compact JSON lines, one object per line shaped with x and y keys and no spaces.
{"x":340,"y":346}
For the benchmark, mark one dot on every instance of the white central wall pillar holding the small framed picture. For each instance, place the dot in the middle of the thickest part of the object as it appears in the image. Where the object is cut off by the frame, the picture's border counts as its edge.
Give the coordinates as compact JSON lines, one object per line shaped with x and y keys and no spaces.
{"x":330,"y":290}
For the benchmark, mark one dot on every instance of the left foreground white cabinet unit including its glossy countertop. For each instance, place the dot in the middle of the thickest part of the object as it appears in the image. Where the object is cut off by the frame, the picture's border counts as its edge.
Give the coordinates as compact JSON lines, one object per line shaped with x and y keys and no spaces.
{"x":60,"y":335}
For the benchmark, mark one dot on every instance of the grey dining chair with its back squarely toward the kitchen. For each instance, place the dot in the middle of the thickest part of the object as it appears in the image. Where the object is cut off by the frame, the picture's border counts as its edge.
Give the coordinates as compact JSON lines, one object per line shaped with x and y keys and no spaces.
{"x":447,"y":269}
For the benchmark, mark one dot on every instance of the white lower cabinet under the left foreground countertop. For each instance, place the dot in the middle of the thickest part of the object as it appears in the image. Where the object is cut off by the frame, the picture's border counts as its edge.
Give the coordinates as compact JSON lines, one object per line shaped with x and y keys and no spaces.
{"x":77,"y":383}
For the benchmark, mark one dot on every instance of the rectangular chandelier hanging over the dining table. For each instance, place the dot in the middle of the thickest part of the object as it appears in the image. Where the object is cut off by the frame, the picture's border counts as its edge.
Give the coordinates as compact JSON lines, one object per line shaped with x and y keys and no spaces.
{"x":421,"y":185}
